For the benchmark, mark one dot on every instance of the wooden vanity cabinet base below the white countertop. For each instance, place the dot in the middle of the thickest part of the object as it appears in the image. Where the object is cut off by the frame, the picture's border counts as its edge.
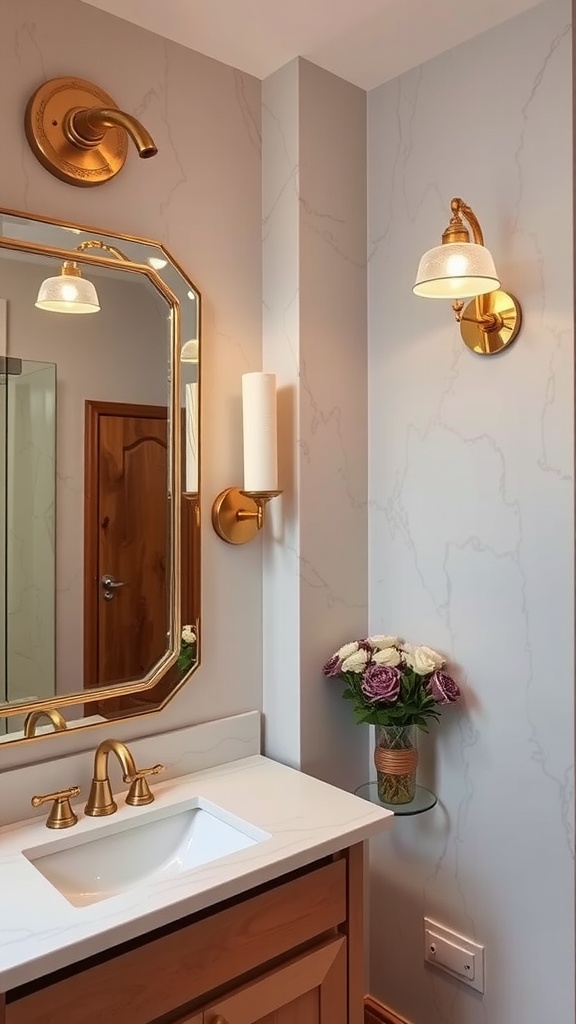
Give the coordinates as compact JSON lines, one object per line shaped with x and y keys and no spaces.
{"x":289,"y":953}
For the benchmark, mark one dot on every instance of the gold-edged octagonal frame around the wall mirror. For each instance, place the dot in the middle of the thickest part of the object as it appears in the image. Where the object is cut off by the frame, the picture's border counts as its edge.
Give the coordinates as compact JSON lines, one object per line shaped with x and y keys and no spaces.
{"x":143,"y":262}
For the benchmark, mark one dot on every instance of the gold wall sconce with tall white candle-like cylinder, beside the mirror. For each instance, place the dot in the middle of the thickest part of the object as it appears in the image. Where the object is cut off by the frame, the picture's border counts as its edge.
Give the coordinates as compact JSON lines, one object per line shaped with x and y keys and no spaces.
{"x":238,"y":515}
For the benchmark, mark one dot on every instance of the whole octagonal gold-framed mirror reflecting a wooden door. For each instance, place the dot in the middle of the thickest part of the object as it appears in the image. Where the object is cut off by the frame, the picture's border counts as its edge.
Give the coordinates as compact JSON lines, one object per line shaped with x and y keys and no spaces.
{"x":100,"y":459}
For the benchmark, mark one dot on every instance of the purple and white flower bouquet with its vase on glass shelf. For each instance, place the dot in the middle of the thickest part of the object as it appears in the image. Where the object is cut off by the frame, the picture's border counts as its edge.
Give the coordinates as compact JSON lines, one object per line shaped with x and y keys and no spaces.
{"x":399,"y":689}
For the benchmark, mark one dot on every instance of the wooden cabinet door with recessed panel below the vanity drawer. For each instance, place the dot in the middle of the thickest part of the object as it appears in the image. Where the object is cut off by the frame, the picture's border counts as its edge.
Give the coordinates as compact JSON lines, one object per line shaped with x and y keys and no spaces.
{"x":310,"y":990}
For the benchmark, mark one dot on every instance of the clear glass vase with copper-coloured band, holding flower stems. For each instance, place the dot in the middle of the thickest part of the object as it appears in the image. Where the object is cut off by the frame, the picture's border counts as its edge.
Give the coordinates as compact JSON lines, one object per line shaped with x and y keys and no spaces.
{"x":396,"y":758}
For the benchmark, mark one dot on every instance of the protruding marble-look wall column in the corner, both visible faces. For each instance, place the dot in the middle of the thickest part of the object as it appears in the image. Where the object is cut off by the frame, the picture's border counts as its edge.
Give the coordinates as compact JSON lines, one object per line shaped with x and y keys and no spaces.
{"x":315,"y":339}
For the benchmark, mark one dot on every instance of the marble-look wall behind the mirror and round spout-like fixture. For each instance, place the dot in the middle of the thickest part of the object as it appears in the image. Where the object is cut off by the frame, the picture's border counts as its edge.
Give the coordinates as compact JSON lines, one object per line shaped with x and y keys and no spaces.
{"x":201,"y":197}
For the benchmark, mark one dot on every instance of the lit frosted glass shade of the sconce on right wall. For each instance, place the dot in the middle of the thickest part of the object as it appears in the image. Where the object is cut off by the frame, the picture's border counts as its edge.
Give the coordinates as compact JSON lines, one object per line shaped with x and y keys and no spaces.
{"x":457,"y":271}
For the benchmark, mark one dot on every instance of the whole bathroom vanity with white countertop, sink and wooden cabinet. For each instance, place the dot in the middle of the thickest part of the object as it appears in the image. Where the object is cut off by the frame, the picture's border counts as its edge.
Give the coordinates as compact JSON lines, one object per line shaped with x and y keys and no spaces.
{"x":272,"y":931}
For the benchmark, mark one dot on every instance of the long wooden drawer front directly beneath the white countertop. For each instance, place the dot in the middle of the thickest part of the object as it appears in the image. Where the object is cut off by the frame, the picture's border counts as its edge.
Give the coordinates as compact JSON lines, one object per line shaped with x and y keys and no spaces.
{"x":142,"y":985}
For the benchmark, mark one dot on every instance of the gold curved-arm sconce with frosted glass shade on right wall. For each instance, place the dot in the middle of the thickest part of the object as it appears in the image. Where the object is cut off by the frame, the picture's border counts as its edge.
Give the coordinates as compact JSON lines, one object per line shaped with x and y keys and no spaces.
{"x":461,"y":270}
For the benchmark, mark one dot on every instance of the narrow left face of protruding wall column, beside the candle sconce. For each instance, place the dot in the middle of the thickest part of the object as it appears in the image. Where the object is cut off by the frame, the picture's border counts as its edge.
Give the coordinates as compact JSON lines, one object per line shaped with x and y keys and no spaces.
{"x":281,"y":316}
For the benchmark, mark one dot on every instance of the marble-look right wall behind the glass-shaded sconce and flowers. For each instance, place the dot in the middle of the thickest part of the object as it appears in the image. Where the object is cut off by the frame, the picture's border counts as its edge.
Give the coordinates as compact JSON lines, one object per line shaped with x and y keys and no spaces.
{"x":472,"y":522}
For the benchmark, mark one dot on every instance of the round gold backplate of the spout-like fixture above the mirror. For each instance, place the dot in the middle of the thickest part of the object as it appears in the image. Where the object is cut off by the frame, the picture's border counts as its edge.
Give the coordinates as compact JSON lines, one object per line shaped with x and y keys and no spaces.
{"x":46,"y":120}
